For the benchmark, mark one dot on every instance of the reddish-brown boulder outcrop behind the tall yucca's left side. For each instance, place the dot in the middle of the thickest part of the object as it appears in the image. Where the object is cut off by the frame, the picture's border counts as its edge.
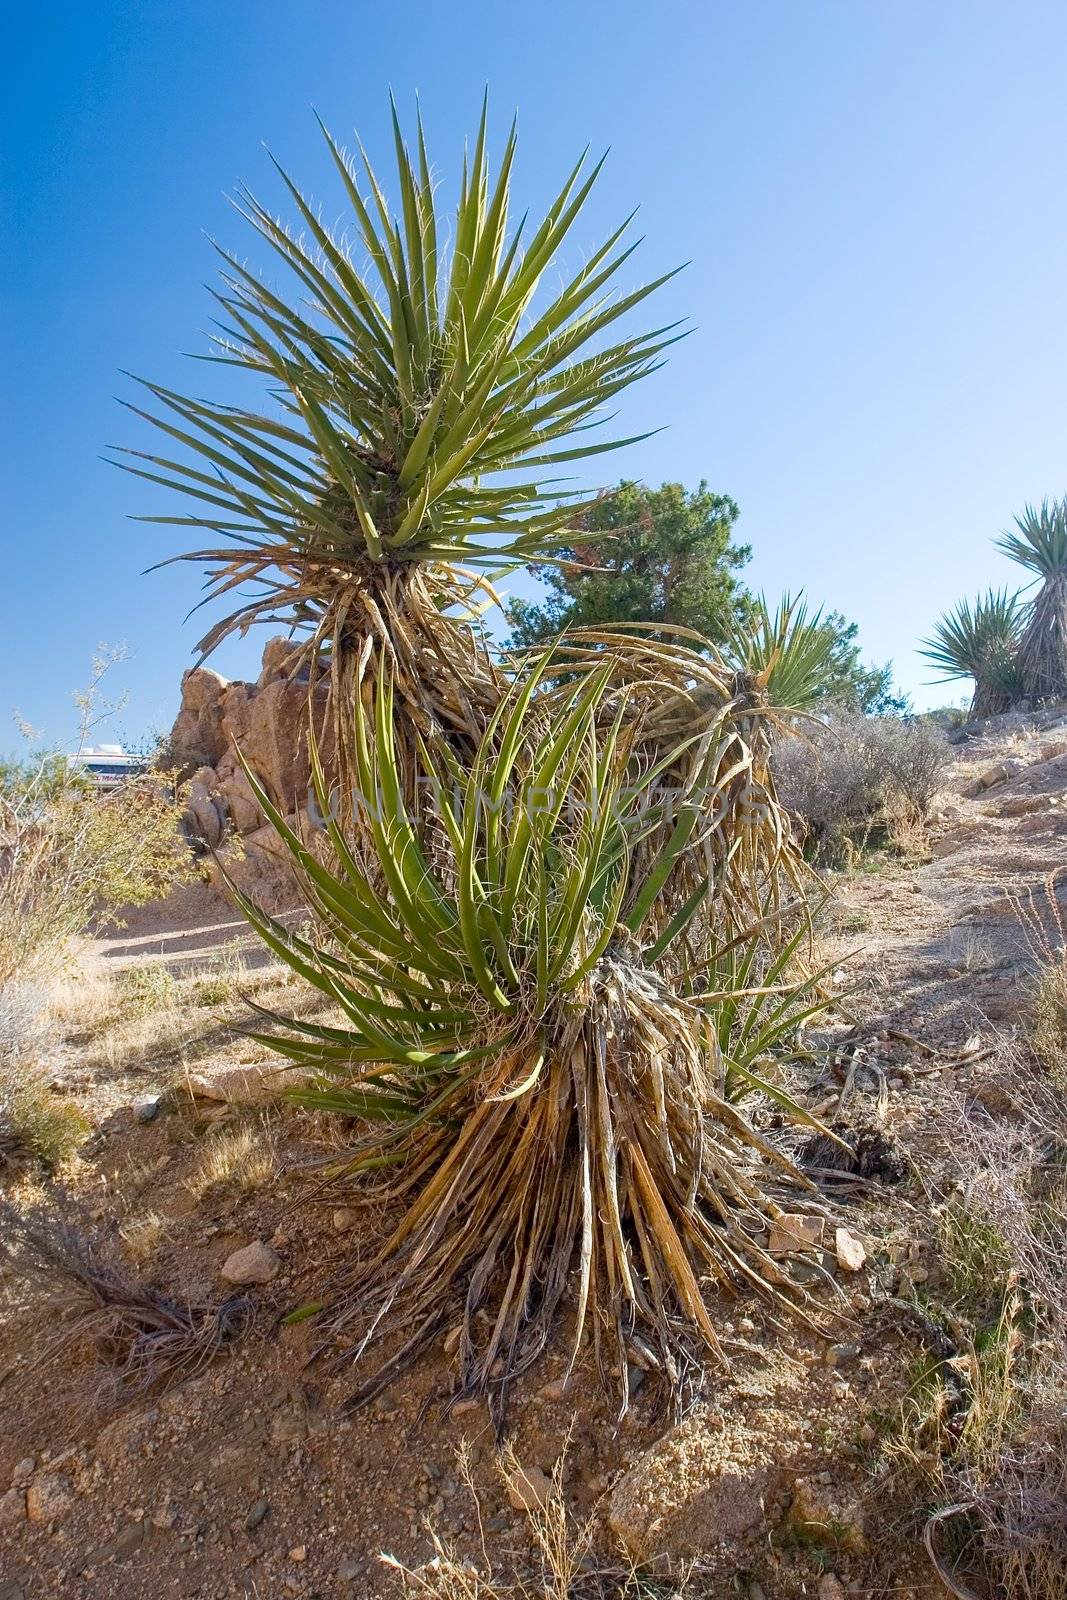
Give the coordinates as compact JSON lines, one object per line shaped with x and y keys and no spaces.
{"x":268,"y":722}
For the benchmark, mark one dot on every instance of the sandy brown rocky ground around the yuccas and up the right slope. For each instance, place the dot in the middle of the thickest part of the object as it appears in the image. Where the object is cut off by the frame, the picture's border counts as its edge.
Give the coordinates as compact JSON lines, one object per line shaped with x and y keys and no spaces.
{"x":247,"y":1478}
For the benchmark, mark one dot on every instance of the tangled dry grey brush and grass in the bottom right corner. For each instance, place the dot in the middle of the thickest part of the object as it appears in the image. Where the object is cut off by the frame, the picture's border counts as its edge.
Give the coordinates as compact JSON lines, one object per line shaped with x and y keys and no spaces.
{"x":986,"y":1433}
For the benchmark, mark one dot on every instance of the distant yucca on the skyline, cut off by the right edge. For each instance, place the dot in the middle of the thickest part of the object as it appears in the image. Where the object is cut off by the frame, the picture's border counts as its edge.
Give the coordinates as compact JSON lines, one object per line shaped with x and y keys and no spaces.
{"x":1041,"y":545}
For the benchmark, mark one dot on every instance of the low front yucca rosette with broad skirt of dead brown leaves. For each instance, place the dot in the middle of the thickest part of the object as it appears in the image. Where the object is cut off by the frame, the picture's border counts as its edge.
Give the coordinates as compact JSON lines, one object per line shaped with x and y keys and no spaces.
{"x":548,"y":1114}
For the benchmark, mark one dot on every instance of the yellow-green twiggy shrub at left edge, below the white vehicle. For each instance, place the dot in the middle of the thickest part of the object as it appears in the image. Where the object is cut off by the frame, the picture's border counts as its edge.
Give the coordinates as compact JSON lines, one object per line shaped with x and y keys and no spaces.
{"x":71,"y":858}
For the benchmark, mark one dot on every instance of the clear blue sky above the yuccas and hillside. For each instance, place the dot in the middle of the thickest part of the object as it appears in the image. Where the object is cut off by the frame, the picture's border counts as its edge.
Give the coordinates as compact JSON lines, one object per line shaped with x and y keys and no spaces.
{"x":871,"y":194}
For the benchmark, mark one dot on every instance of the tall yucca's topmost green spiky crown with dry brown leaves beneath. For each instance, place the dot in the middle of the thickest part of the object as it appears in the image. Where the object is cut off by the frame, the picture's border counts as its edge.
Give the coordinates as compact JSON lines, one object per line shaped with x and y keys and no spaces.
{"x":417,"y":399}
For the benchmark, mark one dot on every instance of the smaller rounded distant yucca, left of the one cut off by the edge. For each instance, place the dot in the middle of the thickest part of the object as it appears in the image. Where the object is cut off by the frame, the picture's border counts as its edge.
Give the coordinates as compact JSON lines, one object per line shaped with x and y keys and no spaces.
{"x":981,"y":642}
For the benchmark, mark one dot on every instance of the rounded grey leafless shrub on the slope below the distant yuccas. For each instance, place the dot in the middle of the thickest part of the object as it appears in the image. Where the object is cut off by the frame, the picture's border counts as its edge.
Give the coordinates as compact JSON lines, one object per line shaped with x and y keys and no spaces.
{"x":853,"y":777}
